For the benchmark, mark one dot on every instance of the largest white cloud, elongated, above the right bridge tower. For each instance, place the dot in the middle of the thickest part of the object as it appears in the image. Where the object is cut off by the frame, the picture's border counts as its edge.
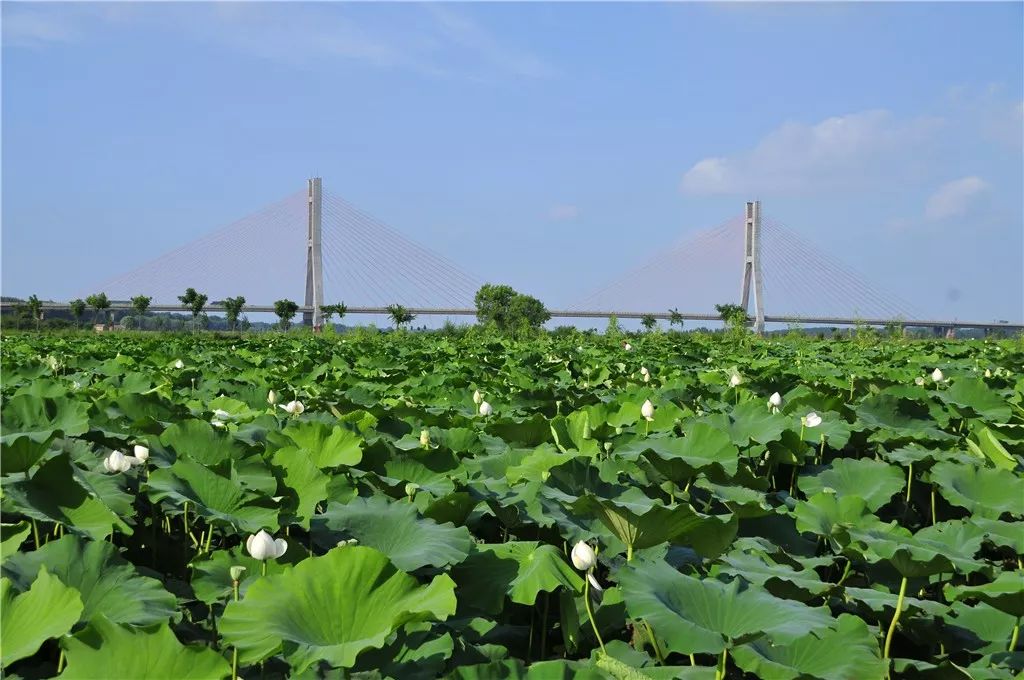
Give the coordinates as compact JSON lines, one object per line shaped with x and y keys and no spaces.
{"x":835,"y":153}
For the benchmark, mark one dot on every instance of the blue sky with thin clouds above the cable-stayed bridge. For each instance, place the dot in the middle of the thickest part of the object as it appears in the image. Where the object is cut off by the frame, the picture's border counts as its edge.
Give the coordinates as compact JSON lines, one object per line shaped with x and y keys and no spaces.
{"x":552,"y":147}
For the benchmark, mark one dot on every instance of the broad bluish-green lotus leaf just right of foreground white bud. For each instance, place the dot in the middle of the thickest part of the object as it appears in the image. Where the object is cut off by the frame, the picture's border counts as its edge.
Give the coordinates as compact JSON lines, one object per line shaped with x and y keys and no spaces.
{"x":707,"y":616}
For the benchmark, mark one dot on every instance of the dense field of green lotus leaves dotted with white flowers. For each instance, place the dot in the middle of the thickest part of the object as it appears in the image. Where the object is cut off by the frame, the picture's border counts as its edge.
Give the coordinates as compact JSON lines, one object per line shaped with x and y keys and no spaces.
{"x":420,"y":506}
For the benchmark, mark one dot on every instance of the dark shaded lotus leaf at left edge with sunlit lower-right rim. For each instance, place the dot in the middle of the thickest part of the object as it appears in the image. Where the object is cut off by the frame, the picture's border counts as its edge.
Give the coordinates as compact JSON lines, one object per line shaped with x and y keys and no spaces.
{"x":54,"y":495}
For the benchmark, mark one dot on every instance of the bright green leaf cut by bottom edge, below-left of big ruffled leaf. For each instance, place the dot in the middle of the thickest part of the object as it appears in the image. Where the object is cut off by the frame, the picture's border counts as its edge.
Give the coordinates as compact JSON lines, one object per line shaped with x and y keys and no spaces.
{"x":105,"y":650}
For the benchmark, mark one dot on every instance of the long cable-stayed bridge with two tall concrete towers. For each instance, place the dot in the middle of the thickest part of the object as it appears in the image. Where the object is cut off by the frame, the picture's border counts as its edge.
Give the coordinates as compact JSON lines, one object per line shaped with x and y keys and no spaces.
{"x":316,"y":247}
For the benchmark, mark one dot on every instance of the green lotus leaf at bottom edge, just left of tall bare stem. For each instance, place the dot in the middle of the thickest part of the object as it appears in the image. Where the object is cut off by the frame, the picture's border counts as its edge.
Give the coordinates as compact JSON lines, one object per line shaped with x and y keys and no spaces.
{"x":847,"y":652}
